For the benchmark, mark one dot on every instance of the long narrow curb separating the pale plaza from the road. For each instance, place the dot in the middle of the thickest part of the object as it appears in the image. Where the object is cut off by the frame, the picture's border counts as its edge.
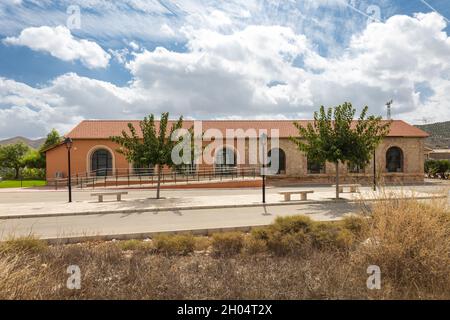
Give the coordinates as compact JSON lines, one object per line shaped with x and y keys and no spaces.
{"x":126,"y":211}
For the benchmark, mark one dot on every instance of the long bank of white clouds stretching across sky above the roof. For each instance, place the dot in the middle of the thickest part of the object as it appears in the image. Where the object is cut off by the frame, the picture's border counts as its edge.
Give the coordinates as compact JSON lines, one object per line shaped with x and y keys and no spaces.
{"x":259,"y":72}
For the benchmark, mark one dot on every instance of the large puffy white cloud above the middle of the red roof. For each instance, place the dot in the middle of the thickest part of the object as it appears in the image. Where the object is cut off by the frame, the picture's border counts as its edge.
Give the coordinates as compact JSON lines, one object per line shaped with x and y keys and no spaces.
{"x":223,"y":74}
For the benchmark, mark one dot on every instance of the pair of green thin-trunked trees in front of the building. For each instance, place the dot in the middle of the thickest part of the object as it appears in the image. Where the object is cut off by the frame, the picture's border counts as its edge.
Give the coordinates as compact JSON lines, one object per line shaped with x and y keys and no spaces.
{"x":333,"y":136}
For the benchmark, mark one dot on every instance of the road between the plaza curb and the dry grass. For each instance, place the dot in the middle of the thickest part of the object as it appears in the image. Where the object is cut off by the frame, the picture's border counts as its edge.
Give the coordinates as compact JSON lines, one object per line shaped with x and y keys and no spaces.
{"x":90,"y":225}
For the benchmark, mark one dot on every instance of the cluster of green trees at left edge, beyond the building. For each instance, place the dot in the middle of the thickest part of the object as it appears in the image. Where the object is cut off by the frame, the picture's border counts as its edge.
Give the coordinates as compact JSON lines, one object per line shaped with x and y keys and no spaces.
{"x":18,"y":156}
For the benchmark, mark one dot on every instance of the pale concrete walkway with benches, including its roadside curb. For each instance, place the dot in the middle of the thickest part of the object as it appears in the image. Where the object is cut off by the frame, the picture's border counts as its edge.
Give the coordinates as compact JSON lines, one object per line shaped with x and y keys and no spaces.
{"x":135,"y":203}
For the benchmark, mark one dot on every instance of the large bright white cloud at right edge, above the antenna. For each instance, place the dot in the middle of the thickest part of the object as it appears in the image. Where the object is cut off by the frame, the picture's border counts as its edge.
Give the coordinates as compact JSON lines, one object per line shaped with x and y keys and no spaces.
{"x":387,"y":61}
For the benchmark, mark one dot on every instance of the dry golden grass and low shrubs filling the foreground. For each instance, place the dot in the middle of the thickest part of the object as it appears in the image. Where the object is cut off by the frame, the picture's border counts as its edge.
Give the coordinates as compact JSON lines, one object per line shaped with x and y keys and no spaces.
{"x":295,"y":258}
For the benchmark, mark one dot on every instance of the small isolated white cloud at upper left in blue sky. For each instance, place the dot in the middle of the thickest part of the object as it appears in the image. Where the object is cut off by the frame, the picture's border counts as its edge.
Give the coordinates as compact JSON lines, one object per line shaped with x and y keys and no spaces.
{"x":60,"y":43}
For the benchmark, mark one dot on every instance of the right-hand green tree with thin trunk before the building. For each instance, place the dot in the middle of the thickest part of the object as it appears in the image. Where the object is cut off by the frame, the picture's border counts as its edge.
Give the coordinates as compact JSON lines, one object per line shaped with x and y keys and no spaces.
{"x":333,"y":136}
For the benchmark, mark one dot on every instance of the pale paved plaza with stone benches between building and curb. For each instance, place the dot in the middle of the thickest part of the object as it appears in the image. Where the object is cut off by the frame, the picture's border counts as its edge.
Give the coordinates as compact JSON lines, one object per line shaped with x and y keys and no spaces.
{"x":46,"y":202}
